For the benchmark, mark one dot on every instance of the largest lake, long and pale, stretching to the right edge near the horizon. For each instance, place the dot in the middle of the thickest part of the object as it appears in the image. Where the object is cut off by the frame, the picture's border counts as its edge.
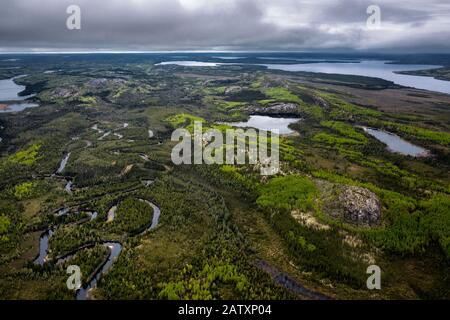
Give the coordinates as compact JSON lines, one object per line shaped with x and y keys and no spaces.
{"x":376,"y":69}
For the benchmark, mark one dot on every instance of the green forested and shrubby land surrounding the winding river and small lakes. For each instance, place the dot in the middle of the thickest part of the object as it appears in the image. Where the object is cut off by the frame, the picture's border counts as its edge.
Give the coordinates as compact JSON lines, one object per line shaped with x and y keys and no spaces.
{"x":224,"y":230}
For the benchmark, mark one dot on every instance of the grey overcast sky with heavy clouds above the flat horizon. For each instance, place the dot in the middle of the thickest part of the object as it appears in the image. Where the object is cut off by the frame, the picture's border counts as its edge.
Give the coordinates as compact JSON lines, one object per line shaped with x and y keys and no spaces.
{"x":176,"y":25}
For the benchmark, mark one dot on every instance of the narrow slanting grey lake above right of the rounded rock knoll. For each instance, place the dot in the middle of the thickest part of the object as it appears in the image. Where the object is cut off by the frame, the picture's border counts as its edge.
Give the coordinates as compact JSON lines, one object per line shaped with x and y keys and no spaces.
{"x":396,"y":144}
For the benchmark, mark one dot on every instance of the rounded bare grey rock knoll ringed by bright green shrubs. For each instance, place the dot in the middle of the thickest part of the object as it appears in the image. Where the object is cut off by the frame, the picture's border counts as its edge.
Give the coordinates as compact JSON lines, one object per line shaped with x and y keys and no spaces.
{"x":359,"y":206}
